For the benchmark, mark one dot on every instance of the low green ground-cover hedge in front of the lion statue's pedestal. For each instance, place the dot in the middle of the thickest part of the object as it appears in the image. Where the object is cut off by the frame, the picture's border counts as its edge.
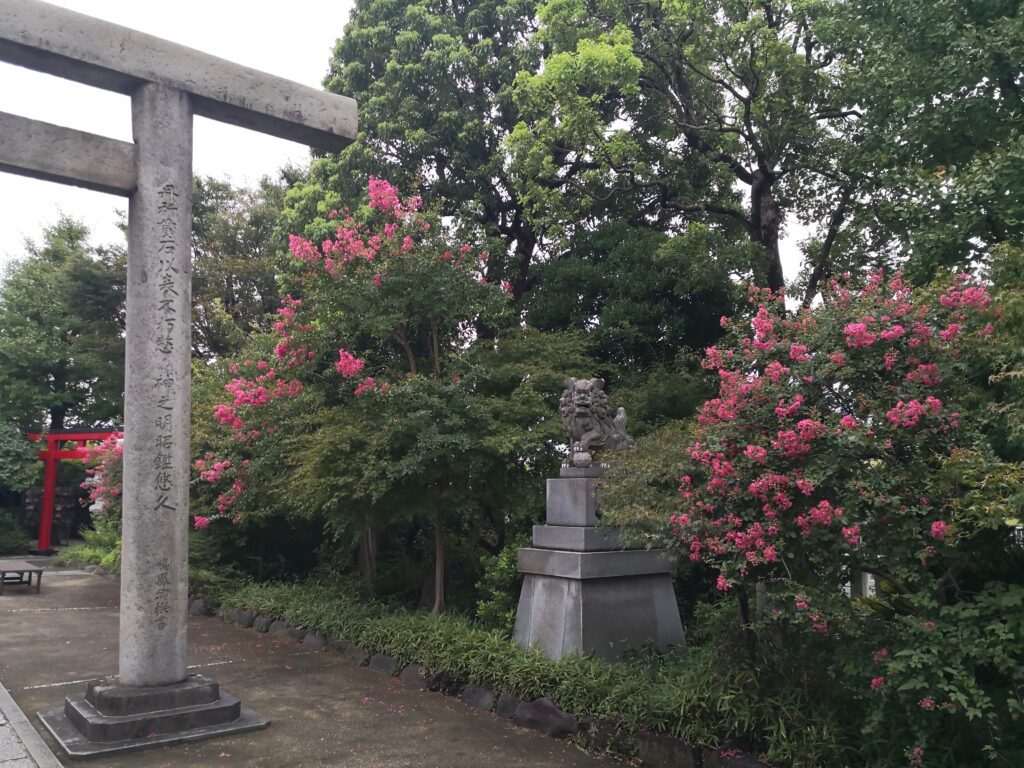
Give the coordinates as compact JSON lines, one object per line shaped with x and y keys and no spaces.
{"x":684,"y":695}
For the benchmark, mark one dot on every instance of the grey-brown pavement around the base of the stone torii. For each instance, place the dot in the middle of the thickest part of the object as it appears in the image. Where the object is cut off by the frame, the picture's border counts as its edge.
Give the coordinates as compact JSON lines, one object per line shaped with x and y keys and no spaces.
{"x":325,"y":711}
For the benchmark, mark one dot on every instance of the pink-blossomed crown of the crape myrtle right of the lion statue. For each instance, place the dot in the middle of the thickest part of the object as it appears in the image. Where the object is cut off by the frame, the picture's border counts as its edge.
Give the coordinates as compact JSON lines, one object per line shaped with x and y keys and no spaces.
{"x":825,"y":433}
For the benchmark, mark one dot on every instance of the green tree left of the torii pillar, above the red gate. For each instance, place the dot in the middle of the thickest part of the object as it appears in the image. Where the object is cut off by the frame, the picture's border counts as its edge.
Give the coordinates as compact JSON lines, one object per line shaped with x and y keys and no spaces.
{"x":62,"y":325}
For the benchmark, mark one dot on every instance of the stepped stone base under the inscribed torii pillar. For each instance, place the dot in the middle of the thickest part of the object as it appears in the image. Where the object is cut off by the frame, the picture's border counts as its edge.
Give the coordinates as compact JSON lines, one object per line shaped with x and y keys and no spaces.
{"x":114,"y":718}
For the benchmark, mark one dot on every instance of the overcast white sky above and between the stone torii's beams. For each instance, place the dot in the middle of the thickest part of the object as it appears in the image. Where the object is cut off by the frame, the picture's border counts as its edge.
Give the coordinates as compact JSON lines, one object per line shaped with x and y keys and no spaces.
{"x":292,"y":40}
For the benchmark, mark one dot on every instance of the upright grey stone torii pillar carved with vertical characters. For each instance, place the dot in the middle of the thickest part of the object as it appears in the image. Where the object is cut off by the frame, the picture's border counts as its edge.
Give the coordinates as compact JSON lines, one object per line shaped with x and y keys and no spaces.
{"x":158,"y":383}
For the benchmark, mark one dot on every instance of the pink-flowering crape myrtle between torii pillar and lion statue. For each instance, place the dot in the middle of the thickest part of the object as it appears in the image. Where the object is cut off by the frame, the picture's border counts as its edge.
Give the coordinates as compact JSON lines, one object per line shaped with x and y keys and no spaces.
{"x":378,"y":398}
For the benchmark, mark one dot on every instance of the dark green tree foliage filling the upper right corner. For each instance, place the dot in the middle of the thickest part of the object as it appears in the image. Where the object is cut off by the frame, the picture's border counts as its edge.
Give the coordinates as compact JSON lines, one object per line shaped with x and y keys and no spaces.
{"x":938,"y":146}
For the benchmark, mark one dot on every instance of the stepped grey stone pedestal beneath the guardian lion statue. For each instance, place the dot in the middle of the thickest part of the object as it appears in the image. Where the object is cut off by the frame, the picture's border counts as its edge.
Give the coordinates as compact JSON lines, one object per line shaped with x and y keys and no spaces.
{"x":582,"y":593}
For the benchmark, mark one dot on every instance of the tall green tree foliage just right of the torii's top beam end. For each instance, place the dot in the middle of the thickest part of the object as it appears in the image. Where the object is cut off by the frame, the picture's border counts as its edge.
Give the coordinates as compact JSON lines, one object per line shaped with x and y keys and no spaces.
{"x":434,"y":81}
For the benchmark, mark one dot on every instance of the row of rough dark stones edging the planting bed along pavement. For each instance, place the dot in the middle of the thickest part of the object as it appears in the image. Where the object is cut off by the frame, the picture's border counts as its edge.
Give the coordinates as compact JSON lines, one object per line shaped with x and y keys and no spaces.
{"x":655,"y":750}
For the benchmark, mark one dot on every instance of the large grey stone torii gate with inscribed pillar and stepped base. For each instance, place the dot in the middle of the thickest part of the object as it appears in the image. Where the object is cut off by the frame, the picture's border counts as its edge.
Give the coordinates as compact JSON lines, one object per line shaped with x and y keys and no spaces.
{"x":153,"y":700}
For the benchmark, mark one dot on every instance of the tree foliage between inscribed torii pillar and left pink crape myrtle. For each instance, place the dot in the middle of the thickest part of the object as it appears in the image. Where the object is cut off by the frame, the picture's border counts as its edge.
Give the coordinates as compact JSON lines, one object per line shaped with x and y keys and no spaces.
{"x":235,"y":247}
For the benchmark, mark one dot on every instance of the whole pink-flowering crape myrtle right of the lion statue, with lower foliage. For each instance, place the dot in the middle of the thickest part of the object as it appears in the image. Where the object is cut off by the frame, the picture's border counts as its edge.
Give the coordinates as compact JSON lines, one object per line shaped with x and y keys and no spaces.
{"x":852,"y":439}
